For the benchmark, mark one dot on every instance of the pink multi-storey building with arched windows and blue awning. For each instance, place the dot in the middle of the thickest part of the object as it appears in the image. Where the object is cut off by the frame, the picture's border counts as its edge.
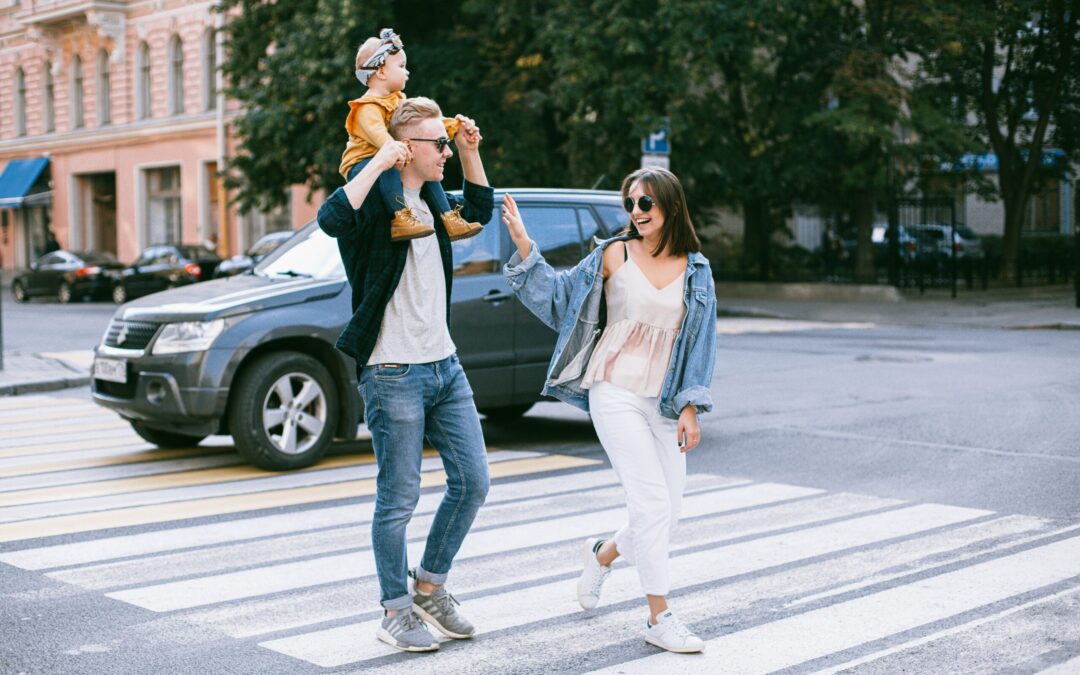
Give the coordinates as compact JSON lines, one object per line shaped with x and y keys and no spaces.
{"x":112,"y":130}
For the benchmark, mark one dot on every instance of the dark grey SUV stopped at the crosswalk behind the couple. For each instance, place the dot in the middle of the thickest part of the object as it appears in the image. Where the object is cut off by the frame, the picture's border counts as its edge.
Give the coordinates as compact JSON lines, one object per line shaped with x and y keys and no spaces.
{"x":253,"y":356}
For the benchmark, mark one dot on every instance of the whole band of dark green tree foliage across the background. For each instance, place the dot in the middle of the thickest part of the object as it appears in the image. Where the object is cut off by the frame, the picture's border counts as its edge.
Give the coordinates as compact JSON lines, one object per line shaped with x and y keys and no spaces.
{"x":771,"y":103}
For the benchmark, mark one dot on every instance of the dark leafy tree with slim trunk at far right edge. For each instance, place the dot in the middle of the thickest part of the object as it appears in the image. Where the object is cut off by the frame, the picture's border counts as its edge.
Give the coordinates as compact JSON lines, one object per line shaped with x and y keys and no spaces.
{"x":1016,"y":66}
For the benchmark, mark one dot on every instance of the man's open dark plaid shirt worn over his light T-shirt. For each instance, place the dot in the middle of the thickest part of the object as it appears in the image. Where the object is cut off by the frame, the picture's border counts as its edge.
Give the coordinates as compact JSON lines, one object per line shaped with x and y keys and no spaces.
{"x":374,"y":264}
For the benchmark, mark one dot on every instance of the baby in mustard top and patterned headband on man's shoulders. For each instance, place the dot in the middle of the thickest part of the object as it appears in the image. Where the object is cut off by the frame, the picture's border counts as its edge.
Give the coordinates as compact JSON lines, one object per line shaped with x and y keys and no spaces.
{"x":381,"y":66}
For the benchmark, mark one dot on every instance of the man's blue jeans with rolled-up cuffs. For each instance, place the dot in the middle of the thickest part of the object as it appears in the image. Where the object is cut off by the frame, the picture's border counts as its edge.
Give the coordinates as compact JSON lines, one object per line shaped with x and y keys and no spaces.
{"x":403,"y":404}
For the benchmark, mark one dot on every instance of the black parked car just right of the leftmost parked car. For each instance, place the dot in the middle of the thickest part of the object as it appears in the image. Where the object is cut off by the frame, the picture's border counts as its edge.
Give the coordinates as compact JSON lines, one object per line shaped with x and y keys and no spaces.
{"x":164,"y":267}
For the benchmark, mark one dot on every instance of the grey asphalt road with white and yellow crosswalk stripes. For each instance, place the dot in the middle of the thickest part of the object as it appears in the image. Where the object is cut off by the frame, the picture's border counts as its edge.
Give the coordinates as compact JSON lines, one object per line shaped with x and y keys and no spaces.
{"x":874,"y":499}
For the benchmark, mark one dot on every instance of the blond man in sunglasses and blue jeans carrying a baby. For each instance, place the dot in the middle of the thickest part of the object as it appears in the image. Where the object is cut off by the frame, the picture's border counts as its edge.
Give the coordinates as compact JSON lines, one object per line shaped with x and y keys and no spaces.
{"x":410,"y":375}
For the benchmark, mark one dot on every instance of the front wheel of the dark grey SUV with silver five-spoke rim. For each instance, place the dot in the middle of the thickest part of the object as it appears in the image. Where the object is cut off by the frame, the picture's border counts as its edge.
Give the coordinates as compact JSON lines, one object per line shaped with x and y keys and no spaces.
{"x":283,"y":411}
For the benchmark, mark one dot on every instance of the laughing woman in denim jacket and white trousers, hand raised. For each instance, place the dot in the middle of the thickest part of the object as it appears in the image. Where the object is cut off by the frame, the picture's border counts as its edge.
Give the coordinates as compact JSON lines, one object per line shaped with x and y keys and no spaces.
{"x":637,"y":347}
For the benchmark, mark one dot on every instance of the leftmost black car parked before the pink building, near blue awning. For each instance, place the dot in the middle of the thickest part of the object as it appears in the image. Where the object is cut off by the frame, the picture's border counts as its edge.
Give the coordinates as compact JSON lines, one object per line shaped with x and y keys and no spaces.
{"x":69,"y":276}
